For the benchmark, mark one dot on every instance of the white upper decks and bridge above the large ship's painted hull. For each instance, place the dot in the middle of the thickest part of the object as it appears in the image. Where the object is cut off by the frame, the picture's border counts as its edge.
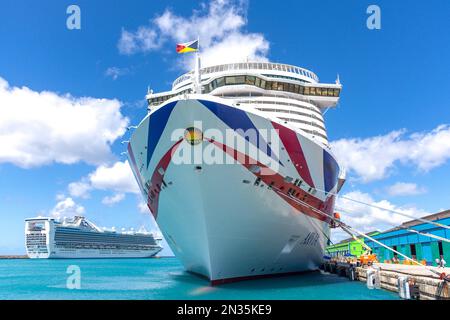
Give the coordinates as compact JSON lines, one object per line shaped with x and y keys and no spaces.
{"x":286,"y":92}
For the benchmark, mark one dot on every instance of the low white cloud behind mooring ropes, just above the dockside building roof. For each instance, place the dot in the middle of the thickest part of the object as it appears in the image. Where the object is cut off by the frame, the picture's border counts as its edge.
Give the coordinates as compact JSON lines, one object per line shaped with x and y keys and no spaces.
{"x":365,"y":218}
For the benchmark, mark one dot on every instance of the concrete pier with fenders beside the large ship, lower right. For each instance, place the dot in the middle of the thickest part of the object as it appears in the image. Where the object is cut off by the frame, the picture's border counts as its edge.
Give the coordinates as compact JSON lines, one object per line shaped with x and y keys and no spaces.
{"x":429,"y":285}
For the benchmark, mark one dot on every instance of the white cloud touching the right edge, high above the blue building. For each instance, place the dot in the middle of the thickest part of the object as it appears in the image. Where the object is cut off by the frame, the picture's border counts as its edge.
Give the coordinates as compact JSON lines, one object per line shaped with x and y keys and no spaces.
{"x":375,"y":158}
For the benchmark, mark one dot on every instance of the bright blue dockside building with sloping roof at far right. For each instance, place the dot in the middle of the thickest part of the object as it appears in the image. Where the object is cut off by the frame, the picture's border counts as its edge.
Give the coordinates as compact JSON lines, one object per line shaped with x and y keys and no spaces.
{"x":419,"y":247}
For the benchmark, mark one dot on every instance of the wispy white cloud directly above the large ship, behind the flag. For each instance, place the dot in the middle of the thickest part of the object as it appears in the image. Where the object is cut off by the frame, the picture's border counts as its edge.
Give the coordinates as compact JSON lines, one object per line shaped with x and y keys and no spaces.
{"x":220,"y":27}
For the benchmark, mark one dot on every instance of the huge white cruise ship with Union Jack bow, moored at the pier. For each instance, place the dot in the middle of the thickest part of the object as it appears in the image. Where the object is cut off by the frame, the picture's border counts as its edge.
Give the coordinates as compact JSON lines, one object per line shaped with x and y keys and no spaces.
{"x":236,"y":168}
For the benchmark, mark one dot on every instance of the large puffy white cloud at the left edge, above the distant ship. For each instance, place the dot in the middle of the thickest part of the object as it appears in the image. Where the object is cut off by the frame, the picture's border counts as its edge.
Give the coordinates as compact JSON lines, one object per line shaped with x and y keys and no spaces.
{"x":39,"y":128}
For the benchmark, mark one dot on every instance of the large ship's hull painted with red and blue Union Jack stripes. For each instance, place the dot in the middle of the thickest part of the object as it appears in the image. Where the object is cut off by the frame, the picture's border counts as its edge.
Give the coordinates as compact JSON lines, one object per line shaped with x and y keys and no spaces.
{"x":232,"y":221}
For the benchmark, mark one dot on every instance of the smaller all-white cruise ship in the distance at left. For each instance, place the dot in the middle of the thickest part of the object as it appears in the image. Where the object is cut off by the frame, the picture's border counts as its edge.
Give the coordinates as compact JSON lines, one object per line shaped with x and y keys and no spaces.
{"x":80,"y":238}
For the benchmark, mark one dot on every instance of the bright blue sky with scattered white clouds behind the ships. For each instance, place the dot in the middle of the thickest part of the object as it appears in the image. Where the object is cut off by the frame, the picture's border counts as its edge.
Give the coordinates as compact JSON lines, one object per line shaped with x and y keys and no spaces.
{"x":68,"y":95}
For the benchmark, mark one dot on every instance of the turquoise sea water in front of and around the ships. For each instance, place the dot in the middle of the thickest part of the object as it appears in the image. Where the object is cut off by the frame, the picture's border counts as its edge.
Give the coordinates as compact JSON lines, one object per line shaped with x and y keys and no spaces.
{"x":162,"y":278}
